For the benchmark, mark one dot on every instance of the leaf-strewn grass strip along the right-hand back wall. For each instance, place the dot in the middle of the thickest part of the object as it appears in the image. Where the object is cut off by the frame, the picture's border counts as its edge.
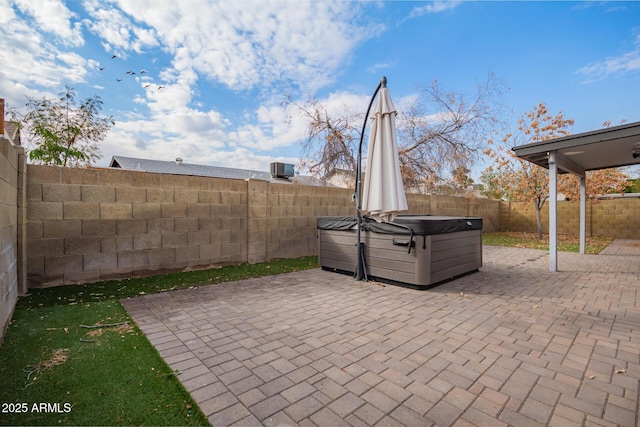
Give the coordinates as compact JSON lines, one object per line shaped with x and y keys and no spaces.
{"x":530,"y":240}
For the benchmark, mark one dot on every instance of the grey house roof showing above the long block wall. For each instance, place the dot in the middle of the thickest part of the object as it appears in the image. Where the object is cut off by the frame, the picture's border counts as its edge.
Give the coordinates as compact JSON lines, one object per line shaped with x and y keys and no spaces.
{"x":178,"y":167}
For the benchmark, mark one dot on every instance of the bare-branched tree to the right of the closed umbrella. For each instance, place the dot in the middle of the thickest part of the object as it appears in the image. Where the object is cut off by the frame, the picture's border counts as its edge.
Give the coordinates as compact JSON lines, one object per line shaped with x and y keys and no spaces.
{"x":444,"y":132}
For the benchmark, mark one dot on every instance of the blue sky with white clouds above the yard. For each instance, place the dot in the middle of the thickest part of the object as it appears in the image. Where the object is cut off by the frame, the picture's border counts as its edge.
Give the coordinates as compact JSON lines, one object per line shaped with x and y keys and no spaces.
{"x":211,"y":76}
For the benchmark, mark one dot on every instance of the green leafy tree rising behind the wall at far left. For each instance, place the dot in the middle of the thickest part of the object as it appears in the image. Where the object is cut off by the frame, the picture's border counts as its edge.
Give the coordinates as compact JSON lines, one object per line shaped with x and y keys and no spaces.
{"x":62,"y":131}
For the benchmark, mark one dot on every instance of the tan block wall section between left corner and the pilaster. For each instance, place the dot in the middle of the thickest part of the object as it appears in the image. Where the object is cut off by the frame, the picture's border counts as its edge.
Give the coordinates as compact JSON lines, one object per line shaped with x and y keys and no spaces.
{"x":86,"y":225}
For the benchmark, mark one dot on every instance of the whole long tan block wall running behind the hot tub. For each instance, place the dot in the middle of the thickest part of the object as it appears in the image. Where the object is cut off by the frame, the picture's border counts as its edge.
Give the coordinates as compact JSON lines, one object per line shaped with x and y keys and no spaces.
{"x":86,"y":225}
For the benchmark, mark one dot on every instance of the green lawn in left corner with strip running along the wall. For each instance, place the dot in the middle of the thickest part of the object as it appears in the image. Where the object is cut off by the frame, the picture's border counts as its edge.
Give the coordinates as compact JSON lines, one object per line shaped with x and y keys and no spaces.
{"x":101,"y":376}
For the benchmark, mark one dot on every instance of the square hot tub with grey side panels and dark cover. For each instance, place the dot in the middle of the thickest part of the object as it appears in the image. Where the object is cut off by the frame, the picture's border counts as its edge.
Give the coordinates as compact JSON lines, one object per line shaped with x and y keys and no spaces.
{"x":417,"y":251}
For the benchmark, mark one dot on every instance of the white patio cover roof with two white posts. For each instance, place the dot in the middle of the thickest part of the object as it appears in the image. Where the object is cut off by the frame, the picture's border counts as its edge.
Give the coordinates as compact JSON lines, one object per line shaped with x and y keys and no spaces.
{"x":600,"y":149}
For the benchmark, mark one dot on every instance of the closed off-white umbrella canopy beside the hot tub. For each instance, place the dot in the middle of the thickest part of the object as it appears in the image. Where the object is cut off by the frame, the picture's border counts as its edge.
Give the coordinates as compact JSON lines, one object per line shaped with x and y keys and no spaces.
{"x":383,"y":195}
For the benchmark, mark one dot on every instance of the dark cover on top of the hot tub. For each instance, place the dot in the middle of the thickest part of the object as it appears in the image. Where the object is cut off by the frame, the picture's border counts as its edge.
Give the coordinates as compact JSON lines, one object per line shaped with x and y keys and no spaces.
{"x":421,"y":225}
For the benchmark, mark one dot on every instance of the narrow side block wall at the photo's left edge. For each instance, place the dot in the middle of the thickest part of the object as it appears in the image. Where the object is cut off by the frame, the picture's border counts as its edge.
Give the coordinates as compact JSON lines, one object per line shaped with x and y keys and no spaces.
{"x":12,"y":229}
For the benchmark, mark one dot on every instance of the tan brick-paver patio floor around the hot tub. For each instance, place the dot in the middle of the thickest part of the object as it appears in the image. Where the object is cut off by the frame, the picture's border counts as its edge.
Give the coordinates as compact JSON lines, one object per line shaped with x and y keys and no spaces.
{"x":513,"y":344}
